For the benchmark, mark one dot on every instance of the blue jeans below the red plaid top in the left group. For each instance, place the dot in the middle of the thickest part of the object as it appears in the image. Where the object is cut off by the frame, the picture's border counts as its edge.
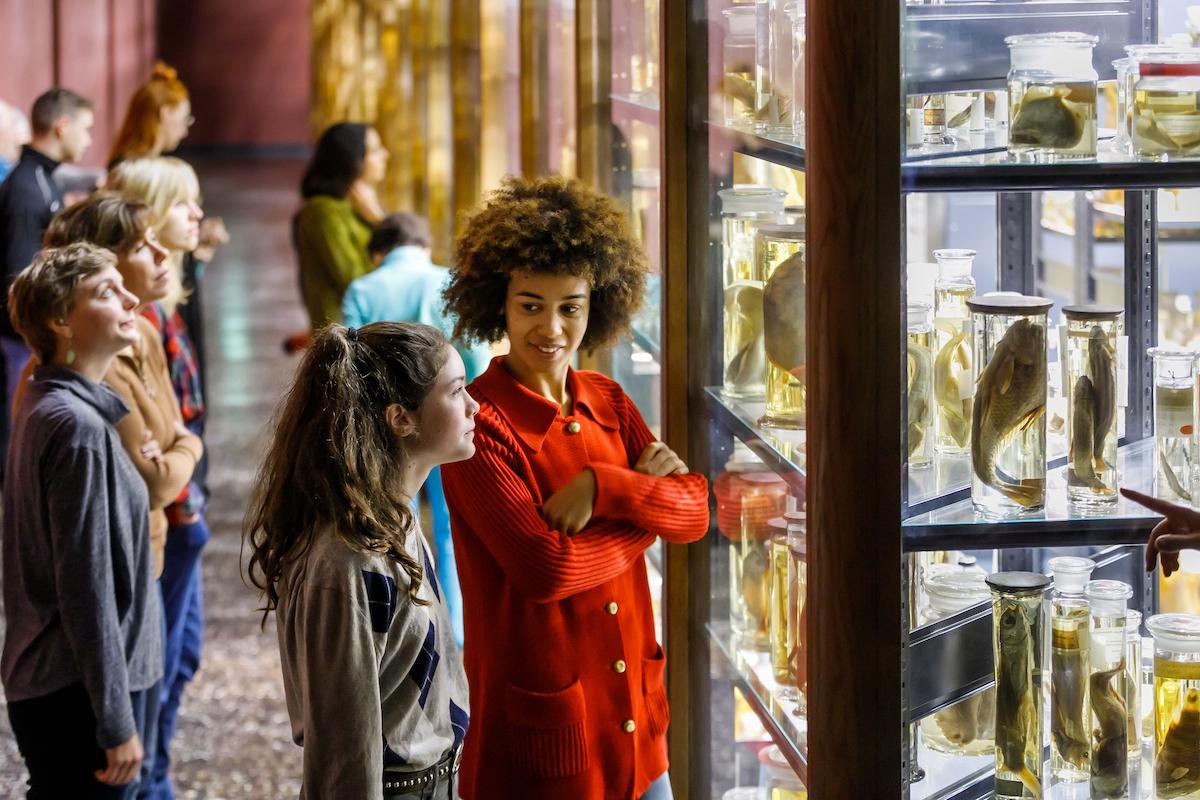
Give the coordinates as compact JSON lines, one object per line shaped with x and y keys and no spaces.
{"x":183,"y":600}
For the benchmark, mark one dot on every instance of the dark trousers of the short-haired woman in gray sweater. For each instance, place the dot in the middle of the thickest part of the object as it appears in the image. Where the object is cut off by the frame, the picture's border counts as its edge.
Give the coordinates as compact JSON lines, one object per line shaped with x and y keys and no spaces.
{"x":57,"y":737}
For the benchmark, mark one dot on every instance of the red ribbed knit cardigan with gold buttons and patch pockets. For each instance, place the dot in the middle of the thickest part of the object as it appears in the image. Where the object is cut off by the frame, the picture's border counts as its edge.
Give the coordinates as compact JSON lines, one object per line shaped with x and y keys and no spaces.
{"x":567,"y":696}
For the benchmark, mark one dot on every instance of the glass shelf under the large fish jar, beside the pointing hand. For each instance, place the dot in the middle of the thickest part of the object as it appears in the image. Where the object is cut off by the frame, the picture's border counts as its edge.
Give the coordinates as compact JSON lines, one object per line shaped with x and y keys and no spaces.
{"x":962,"y":527}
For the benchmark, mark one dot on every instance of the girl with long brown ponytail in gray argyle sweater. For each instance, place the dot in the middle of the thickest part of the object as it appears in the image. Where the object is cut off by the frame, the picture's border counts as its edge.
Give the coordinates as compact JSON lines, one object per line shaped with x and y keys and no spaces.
{"x":371,"y":671}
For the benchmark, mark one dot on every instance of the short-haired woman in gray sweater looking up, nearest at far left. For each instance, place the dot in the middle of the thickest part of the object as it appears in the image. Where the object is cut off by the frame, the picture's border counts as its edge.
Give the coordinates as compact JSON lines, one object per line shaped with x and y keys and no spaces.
{"x":83,"y":645}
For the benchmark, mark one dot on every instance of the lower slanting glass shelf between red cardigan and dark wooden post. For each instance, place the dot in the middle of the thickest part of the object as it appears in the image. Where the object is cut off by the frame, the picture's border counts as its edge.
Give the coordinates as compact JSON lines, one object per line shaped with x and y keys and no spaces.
{"x":751,"y":671}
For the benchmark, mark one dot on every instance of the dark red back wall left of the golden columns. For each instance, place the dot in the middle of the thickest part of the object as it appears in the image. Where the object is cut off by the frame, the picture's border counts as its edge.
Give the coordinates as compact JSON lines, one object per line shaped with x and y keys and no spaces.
{"x":247,"y":67}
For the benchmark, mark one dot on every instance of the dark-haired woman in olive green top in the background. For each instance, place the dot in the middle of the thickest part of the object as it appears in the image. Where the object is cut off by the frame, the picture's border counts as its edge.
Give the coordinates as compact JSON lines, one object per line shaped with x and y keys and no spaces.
{"x":332,"y":230}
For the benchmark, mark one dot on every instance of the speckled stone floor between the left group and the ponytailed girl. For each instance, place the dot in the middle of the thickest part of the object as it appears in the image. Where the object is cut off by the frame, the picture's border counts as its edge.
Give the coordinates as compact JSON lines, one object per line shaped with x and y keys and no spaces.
{"x":233,"y":738}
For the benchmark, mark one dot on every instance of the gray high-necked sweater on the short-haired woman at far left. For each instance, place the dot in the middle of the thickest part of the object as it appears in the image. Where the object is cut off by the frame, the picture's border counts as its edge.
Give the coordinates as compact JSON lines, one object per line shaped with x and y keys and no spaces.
{"x":81,"y":601}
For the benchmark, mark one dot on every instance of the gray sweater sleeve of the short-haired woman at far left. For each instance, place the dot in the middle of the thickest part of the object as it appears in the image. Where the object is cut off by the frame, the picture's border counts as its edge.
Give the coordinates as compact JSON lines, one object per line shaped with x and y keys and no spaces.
{"x":80,"y":534}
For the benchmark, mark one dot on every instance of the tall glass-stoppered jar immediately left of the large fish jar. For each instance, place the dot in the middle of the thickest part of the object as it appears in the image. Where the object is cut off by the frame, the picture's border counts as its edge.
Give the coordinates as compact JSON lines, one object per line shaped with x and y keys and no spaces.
{"x":953,"y":388}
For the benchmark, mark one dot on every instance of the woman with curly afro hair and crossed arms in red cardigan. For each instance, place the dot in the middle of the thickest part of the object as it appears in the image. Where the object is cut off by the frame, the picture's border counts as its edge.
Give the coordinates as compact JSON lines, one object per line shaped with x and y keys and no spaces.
{"x":553,"y":515}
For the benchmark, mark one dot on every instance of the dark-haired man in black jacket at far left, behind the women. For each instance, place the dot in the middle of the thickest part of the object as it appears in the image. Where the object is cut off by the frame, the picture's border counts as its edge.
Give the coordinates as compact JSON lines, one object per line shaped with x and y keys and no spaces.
{"x":62,"y":127}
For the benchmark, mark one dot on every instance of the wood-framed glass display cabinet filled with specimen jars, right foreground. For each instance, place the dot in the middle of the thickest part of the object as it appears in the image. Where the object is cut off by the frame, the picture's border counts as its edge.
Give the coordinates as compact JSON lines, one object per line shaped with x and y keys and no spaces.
{"x":884,"y":431}
